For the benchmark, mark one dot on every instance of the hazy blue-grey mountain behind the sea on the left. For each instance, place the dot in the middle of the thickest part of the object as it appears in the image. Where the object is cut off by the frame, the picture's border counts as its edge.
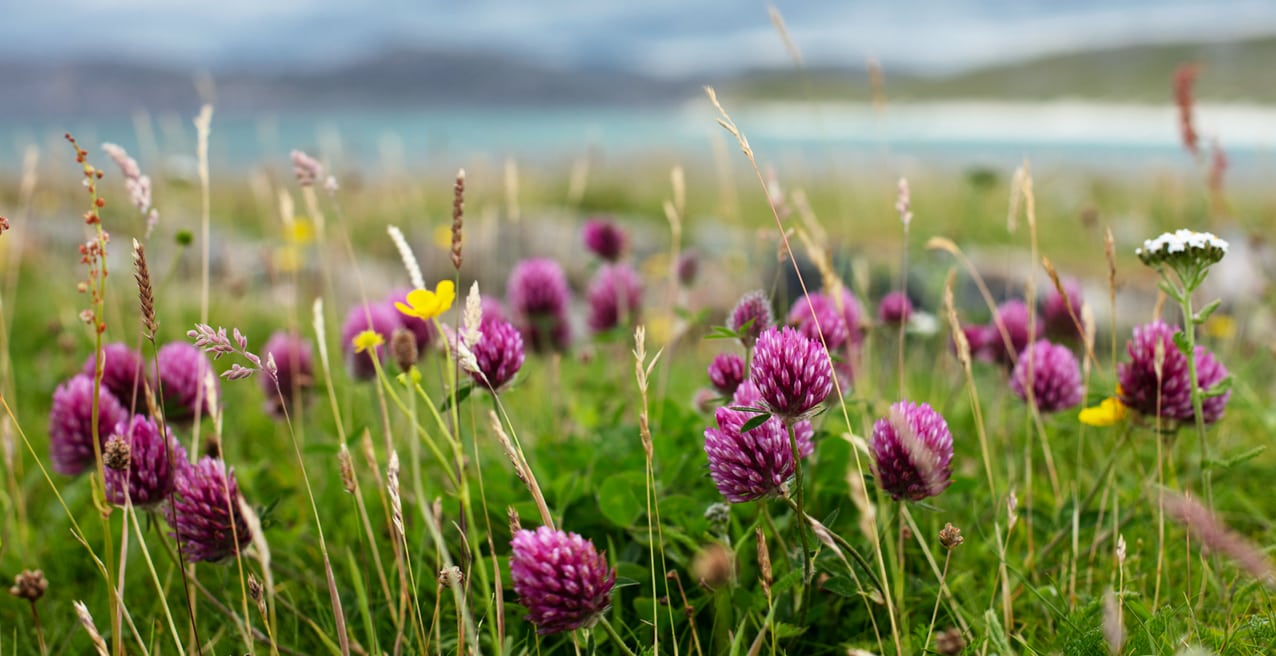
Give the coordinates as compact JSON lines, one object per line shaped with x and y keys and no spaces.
{"x":400,"y":80}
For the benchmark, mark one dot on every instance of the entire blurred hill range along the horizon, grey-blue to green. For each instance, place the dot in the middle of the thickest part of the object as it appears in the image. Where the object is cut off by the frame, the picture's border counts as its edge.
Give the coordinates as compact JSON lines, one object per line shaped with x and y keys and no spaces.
{"x":413,"y":80}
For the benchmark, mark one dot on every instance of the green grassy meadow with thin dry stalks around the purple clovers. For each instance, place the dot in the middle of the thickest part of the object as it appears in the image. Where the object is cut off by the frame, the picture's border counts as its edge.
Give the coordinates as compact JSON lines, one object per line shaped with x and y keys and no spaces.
{"x":1078,"y":539}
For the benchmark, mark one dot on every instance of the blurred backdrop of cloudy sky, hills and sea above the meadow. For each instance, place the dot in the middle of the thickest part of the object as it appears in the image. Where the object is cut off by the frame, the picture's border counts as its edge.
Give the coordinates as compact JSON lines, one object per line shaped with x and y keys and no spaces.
{"x":386,"y":85}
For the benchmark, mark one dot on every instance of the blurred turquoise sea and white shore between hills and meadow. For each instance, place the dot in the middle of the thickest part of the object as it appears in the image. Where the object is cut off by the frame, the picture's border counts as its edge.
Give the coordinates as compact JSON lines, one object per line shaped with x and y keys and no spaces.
{"x":1127,"y":140}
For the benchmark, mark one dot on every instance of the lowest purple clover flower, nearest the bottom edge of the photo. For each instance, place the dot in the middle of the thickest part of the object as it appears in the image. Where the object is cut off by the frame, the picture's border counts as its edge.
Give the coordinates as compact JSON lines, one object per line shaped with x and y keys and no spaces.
{"x":562,"y":580}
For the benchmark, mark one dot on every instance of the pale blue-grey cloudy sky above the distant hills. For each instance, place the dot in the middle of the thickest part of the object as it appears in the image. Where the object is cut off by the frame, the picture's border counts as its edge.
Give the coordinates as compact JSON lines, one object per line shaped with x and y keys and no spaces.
{"x":663,"y":38}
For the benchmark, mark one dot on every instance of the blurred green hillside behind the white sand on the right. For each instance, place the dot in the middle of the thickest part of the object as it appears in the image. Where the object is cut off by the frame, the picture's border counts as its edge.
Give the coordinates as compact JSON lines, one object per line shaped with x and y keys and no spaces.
{"x":1233,"y":71}
